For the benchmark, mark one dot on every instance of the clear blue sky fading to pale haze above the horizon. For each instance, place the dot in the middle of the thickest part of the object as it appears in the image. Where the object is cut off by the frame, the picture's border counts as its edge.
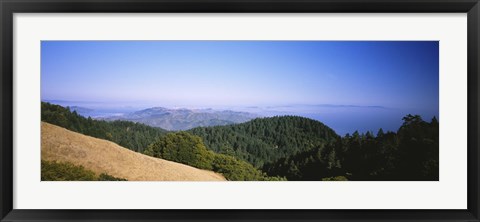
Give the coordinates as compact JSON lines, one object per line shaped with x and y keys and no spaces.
{"x":392,"y":74}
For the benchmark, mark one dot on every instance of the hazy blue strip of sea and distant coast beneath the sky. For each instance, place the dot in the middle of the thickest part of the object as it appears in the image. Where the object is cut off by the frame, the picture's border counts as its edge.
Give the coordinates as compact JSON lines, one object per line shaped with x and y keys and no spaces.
{"x":341,"y":118}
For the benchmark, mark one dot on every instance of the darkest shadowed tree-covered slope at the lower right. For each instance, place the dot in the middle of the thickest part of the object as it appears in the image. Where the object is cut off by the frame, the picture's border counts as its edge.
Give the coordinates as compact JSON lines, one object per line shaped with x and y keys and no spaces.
{"x":409,"y":154}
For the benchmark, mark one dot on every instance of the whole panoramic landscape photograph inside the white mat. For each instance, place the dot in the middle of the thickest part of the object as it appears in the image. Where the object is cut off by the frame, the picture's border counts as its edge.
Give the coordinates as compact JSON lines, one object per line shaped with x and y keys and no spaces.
{"x":239,"y":110}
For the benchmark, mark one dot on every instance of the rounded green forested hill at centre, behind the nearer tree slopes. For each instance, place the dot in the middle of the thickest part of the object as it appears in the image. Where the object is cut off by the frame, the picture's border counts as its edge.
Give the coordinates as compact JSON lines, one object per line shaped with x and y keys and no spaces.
{"x":265,"y":140}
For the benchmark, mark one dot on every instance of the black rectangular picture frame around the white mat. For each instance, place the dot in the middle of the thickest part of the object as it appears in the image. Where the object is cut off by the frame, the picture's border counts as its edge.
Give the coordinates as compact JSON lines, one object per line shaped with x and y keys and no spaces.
{"x":9,"y":7}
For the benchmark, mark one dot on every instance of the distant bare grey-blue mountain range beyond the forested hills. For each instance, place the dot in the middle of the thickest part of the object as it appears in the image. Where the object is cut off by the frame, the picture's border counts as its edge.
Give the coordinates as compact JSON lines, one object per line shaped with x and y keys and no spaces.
{"x":184,"y":119}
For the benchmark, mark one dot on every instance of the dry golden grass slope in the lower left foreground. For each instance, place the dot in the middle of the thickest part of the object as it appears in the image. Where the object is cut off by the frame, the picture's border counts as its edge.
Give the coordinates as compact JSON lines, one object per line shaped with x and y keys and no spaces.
{"x":101,"y":156}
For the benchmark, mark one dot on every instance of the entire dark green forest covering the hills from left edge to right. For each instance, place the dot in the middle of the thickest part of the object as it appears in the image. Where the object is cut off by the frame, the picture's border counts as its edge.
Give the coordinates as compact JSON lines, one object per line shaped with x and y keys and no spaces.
{"x":277,"y":148}
